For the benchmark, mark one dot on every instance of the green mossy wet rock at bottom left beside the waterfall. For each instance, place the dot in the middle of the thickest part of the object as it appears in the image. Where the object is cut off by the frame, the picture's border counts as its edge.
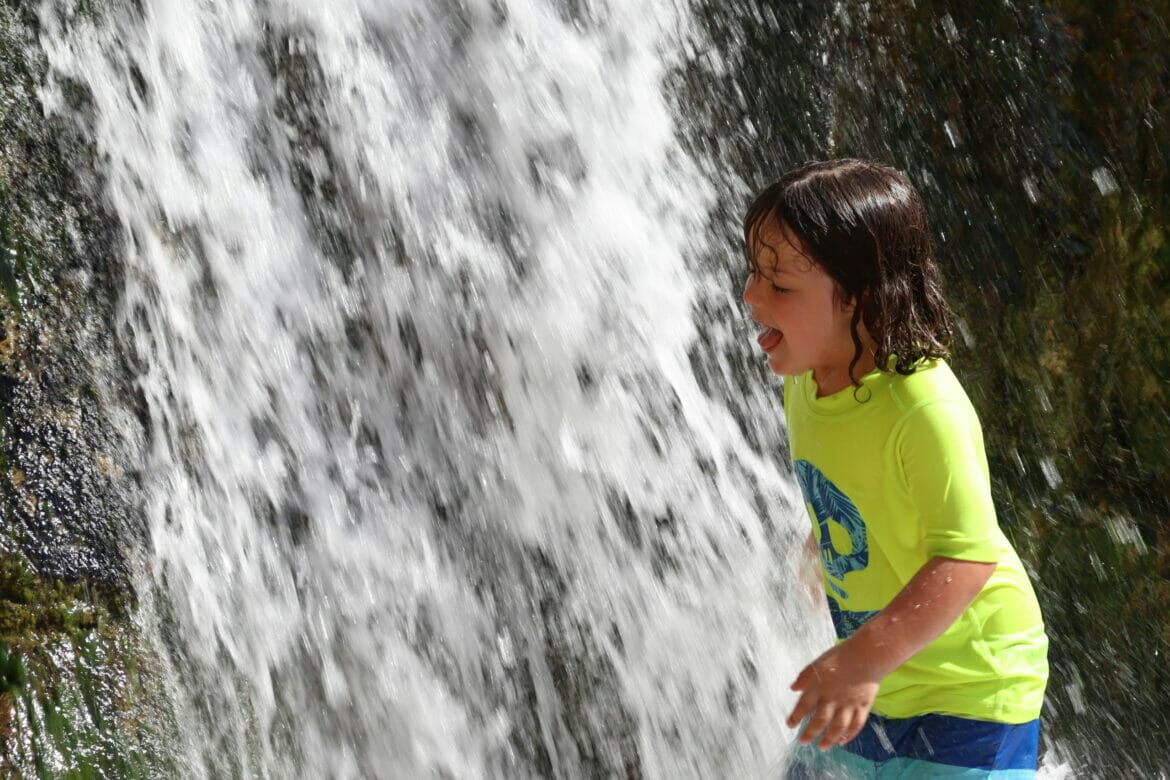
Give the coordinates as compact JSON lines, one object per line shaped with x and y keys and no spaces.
{"x":74,"y":701}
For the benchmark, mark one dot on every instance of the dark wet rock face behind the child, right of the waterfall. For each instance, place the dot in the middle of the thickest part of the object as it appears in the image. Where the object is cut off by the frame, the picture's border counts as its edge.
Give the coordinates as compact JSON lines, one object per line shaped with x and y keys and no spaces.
{"x":1037,"y":134}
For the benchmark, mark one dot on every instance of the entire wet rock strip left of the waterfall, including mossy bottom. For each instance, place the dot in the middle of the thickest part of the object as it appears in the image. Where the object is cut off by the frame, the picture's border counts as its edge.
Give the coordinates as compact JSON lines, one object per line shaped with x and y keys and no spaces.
{"x":72,"y":667}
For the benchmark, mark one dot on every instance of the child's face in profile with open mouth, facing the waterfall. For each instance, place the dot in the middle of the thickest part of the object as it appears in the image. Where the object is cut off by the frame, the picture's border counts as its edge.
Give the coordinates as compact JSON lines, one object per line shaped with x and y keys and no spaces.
{"x":807,"y":327}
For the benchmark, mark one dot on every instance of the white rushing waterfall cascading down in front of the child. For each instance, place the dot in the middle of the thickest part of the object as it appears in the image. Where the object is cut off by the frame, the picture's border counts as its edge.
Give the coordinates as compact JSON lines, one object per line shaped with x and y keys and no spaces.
{"x":431,"y":488}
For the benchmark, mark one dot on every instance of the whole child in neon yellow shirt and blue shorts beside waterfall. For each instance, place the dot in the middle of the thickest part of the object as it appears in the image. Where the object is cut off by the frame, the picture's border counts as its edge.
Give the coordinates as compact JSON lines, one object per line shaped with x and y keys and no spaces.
{"x":940,"y":633}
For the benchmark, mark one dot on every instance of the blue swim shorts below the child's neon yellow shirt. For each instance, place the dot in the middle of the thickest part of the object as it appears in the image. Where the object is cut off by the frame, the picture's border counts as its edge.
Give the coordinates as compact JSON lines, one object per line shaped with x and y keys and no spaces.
{"x":927,"y":747}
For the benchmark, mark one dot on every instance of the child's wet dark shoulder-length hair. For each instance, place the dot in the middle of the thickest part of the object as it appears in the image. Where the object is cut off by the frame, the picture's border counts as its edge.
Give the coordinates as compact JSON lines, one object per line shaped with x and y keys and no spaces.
{"x":866,"y":226}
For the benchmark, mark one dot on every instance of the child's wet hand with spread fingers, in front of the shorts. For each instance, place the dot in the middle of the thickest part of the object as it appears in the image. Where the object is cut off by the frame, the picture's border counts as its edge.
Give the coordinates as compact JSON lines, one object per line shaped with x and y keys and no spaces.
{"x":838,"y":692}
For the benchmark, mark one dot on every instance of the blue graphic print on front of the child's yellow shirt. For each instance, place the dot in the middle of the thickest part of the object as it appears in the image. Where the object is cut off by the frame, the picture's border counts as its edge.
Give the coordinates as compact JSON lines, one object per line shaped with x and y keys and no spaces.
{"x":831,"y":506}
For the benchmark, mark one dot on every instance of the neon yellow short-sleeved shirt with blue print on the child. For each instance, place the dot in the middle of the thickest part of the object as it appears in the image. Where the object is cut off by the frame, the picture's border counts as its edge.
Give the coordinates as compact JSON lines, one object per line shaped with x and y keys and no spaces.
{"x":893,"y":477}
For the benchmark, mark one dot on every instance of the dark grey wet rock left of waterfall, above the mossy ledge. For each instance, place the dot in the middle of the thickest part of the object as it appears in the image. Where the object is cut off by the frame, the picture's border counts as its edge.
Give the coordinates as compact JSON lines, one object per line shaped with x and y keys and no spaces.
{"x":66,"y":508}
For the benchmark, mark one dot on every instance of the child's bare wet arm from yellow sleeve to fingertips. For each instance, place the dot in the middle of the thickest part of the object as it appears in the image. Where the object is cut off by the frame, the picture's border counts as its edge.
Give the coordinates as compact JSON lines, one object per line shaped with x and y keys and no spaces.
{"x":839,"y":688}
